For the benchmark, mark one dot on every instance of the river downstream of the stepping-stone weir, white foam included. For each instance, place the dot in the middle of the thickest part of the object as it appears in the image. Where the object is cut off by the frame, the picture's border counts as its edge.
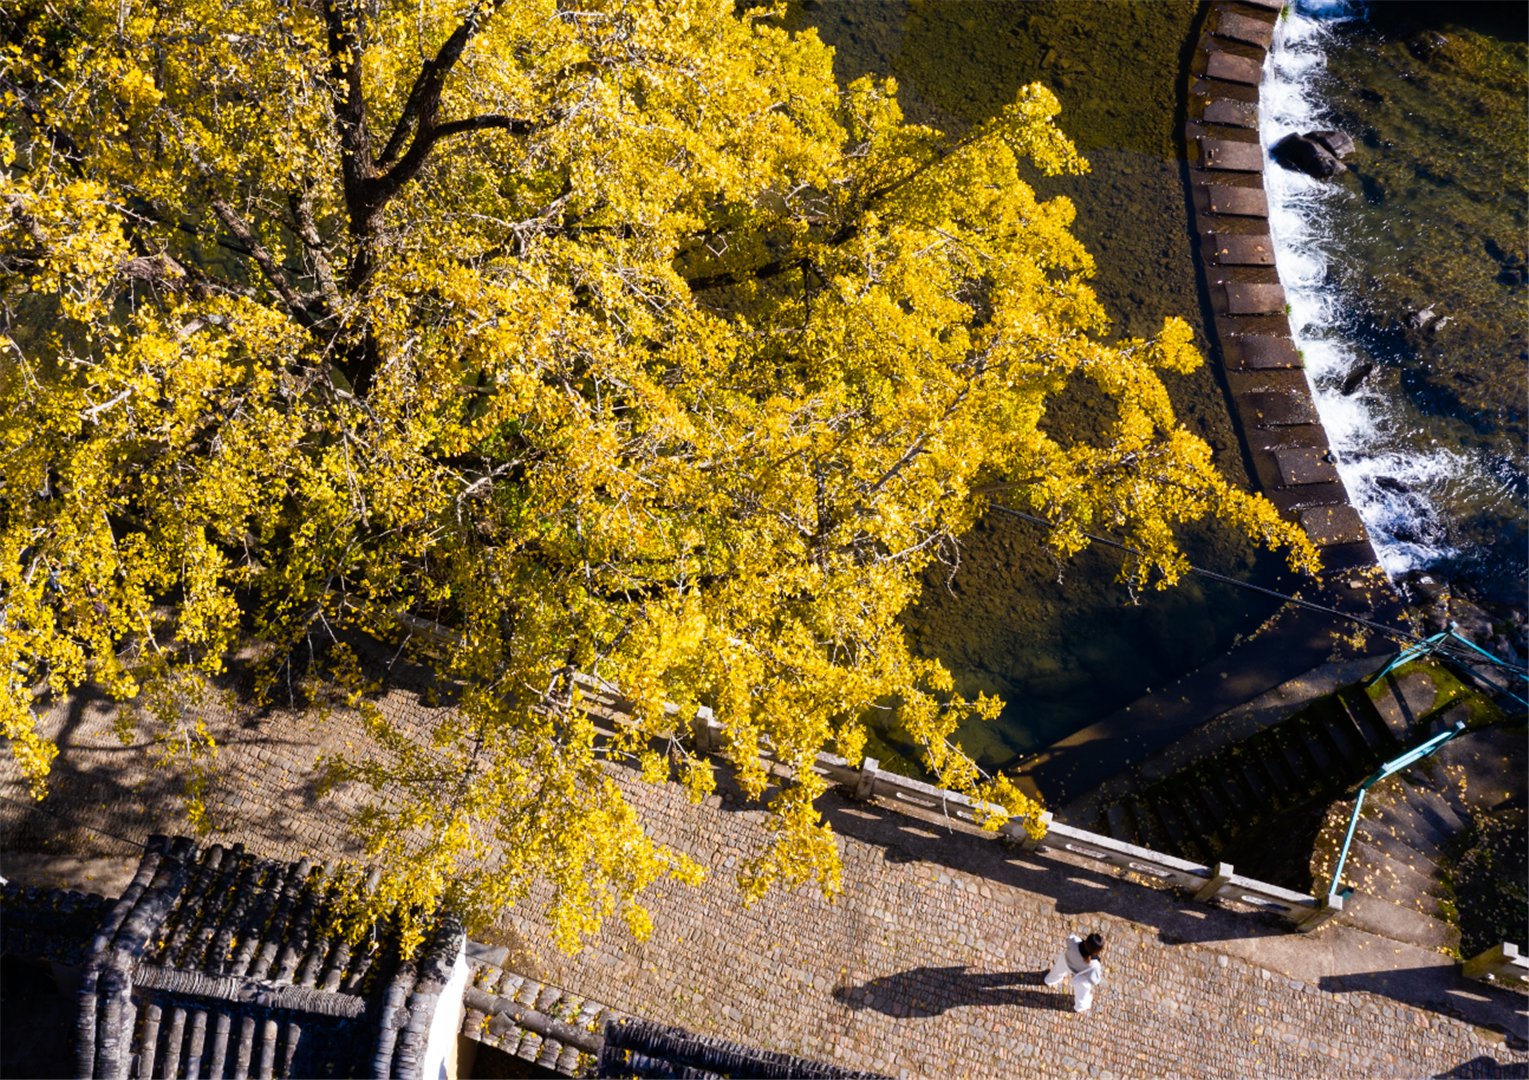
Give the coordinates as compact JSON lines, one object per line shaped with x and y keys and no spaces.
{"x":1406,"y":276}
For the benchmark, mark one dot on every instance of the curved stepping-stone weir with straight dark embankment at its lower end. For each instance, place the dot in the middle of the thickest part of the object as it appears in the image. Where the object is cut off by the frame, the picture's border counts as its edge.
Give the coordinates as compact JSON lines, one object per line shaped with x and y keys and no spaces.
{"x":1271,"y":402}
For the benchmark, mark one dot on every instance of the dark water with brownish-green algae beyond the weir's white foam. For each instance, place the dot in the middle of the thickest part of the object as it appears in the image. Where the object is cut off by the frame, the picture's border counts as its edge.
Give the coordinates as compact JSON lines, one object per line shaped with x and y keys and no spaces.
{"x":1435,"y":215}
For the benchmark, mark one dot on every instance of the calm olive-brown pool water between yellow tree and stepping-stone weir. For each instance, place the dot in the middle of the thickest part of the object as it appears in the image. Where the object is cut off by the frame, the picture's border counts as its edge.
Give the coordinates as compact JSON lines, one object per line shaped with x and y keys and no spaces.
{"x":1062,"y":643}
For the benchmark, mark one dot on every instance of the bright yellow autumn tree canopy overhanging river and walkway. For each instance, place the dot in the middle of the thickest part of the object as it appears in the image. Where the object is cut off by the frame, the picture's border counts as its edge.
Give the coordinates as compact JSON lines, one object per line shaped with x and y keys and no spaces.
{"x":612,"y":337}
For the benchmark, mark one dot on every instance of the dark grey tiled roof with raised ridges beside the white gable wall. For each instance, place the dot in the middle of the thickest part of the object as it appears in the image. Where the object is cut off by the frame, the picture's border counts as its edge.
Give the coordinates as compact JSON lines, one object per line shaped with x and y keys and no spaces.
{"x":216,"y":963}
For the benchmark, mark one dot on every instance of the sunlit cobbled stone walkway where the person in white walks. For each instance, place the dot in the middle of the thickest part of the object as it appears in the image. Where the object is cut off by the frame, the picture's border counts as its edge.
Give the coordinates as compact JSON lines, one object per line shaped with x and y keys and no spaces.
{"x":927,"y":966}
